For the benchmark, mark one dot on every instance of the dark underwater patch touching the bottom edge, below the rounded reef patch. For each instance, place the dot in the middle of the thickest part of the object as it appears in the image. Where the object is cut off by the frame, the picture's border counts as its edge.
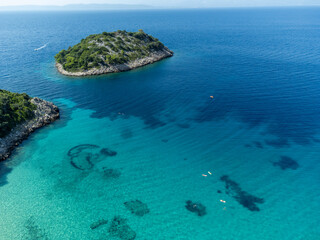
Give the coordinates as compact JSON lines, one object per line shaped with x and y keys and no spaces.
{"x":120,"y":228}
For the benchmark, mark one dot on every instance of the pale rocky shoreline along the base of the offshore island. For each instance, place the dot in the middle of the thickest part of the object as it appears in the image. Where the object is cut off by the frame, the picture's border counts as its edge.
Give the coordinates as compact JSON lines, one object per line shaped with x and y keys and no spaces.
{"x":154,"y":57}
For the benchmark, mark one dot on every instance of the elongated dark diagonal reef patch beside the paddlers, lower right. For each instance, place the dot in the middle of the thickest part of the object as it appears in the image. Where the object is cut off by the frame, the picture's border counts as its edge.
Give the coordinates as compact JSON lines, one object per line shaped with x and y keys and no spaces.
{"x":245,"y":199}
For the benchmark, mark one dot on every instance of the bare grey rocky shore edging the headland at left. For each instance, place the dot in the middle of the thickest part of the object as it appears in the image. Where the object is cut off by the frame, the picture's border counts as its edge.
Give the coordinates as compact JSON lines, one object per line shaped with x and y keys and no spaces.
{"x":45,"y":114}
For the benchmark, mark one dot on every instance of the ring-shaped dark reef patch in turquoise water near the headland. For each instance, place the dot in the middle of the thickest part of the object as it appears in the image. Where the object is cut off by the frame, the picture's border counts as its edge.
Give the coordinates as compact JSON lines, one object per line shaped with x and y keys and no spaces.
{"x":84,"y":156}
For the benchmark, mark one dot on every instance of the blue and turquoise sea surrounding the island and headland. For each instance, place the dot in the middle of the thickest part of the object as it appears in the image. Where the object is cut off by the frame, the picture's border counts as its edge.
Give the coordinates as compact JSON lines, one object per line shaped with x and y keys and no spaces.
{"x":250,"y":155}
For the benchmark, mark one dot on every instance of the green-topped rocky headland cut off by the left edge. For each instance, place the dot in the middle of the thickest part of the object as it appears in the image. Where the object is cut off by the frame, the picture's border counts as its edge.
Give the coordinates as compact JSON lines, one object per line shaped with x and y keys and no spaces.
{"x":20,"y":115}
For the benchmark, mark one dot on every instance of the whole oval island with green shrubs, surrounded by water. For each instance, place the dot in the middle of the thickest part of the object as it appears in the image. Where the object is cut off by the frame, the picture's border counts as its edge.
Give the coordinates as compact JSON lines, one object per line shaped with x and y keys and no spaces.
{"x":111,"y":52}
